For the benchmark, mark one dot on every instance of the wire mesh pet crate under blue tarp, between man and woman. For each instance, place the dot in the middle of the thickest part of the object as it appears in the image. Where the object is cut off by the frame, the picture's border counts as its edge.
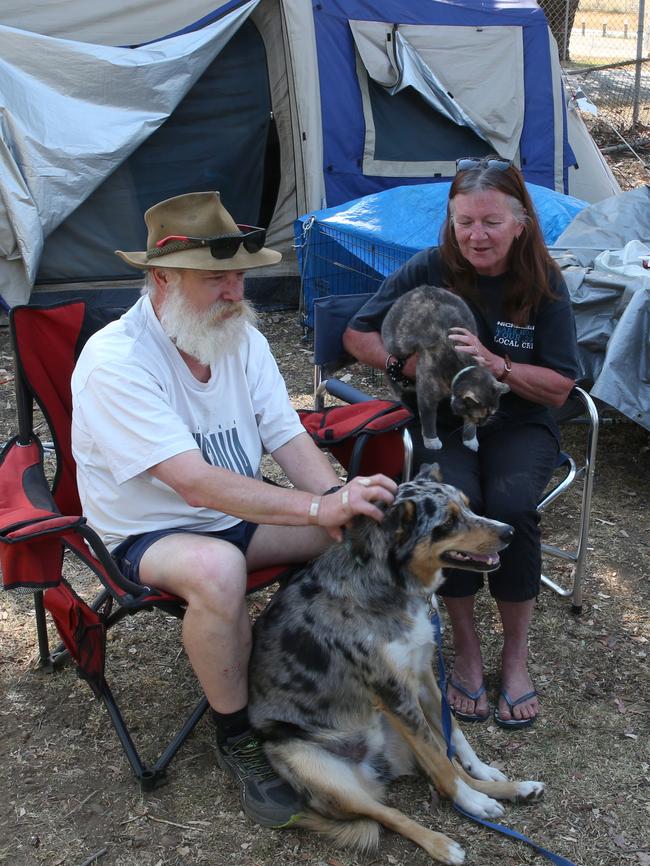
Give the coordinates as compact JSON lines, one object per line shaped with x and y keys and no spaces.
{"x":334,"y":261}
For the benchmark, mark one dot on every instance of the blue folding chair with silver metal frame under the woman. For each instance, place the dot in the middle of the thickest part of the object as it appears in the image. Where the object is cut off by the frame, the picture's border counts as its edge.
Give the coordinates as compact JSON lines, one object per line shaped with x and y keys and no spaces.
{"x":331,"y":315}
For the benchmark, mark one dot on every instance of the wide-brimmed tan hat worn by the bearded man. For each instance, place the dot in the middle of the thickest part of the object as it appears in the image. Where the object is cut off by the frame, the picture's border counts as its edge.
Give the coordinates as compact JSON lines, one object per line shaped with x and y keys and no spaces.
{"x":194,"y":215}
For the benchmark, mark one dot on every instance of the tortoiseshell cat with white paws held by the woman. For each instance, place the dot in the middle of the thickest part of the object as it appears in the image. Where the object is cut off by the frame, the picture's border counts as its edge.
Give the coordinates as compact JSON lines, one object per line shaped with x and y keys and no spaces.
{"x":419,"y":321}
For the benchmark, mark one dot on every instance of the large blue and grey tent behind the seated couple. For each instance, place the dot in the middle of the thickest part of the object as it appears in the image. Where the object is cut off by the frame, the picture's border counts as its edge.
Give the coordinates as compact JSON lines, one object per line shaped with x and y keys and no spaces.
{"x":285,"y":106}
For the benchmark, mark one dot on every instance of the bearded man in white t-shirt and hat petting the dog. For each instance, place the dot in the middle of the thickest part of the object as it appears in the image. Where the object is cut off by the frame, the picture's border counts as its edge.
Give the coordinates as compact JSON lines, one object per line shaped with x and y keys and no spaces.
{"x":174,"y":405}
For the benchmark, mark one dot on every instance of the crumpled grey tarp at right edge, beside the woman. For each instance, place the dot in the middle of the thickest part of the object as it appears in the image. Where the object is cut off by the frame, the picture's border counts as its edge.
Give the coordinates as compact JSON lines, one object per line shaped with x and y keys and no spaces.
{"x":612,"y":310}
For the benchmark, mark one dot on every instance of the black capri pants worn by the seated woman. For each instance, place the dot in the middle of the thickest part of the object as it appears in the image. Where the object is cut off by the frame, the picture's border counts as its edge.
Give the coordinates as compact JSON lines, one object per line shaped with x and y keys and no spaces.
{"x":504,"y":480}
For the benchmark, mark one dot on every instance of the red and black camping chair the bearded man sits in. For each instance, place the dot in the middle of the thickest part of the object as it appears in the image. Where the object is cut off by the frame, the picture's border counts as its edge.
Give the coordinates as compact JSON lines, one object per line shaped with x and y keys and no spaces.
{"x":41,"y":520}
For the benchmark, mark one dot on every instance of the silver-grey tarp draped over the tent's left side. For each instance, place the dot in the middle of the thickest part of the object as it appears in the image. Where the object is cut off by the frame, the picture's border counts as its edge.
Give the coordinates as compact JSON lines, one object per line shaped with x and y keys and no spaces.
{"x":89,"y":112}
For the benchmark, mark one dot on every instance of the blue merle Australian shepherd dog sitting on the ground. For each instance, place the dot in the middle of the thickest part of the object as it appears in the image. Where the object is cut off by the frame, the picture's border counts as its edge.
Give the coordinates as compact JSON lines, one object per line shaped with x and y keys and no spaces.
{"x":342,"y":689}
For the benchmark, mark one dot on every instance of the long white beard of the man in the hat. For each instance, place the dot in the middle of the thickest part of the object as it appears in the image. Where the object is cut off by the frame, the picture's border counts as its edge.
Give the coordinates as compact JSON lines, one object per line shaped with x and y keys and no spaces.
{"x":207,"y":335}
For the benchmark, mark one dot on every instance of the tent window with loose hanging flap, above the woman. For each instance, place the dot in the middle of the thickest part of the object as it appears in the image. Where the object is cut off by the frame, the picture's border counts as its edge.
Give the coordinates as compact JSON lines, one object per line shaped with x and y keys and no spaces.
{"x":444,"y":88}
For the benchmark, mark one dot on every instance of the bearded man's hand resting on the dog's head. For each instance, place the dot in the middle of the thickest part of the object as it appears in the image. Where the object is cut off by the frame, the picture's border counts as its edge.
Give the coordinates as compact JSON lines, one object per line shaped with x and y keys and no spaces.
{"x":357,"y":497}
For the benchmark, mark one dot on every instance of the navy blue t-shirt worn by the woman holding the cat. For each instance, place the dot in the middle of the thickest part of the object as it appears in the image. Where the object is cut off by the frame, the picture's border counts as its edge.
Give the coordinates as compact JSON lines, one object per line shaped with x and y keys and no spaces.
{"x":548,"y":340}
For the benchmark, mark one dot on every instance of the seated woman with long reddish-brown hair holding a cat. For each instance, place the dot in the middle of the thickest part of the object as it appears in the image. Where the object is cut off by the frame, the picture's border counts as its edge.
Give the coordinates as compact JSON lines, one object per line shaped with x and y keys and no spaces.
{"x":493,"y":255}
